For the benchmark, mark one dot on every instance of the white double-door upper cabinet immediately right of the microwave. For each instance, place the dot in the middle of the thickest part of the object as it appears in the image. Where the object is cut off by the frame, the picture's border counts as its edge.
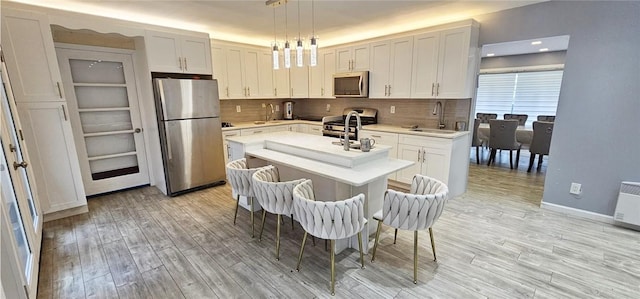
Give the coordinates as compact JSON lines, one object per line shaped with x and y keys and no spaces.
{"x":391,"y":64}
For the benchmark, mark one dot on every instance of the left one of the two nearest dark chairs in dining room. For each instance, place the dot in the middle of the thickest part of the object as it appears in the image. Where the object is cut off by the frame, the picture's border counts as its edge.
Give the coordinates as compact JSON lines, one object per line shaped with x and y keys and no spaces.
{"x":502,"y":135}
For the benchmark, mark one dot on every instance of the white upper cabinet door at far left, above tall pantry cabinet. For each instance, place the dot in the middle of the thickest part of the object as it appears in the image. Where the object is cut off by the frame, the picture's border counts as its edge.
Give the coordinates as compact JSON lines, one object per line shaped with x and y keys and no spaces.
{"x":30,"y":56}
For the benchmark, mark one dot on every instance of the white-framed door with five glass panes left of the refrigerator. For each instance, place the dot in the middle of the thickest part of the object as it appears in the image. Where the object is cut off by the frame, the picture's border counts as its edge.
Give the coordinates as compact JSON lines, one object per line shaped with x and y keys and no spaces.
{"x":105,"y":116}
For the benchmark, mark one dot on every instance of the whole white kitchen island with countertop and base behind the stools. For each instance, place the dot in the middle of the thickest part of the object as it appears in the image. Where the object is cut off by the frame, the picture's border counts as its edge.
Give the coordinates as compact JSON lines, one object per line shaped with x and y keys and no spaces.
{"x":336,"y":173}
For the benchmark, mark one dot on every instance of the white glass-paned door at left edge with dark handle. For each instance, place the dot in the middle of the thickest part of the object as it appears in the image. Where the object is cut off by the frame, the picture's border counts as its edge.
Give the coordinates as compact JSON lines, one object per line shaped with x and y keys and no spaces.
{"x":20,"y":214}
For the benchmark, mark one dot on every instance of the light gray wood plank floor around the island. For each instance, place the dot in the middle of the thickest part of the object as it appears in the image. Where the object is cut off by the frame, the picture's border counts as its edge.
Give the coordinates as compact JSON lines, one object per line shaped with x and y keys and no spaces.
{"x":494,"y":241}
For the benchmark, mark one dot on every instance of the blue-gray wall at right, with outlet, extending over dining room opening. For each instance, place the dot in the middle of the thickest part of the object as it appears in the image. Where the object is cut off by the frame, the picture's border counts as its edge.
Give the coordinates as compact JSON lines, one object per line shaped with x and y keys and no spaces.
{"x":596,"y":140}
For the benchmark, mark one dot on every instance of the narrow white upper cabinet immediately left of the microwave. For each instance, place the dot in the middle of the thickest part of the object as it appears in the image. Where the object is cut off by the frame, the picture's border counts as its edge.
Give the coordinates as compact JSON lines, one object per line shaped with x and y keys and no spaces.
{"x":321,"y":75}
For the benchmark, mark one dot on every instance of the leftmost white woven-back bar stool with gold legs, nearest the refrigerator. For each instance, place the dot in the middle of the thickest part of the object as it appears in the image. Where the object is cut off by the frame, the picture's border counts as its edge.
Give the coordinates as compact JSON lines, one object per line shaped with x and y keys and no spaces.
{"x":239,"y":176}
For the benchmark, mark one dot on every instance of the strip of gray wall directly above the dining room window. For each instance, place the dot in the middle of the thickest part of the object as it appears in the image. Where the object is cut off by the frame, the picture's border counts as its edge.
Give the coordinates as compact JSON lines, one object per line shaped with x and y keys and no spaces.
{"x":514,"y":61}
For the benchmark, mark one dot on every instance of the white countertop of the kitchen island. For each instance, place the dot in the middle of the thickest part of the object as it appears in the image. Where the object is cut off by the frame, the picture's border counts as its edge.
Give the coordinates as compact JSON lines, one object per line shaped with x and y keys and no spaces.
{"x":316,"y":154}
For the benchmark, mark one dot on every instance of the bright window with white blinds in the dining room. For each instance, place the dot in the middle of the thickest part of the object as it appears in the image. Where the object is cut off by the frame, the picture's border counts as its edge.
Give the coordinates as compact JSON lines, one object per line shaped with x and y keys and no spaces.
{"x":532,"y":93}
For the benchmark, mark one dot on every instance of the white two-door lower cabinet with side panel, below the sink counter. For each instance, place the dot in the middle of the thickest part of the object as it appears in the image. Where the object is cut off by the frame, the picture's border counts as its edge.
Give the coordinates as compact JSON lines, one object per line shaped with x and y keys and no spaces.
{"x":440,"y":158}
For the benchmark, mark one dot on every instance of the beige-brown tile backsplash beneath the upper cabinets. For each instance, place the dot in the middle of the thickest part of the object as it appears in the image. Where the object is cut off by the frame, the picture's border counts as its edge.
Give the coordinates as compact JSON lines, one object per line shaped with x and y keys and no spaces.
{"x":407,"y":111}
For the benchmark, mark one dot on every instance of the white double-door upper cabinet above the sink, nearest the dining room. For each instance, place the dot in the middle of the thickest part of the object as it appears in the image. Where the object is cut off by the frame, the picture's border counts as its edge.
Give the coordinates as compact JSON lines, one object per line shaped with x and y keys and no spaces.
{"x":444,"y":63}
